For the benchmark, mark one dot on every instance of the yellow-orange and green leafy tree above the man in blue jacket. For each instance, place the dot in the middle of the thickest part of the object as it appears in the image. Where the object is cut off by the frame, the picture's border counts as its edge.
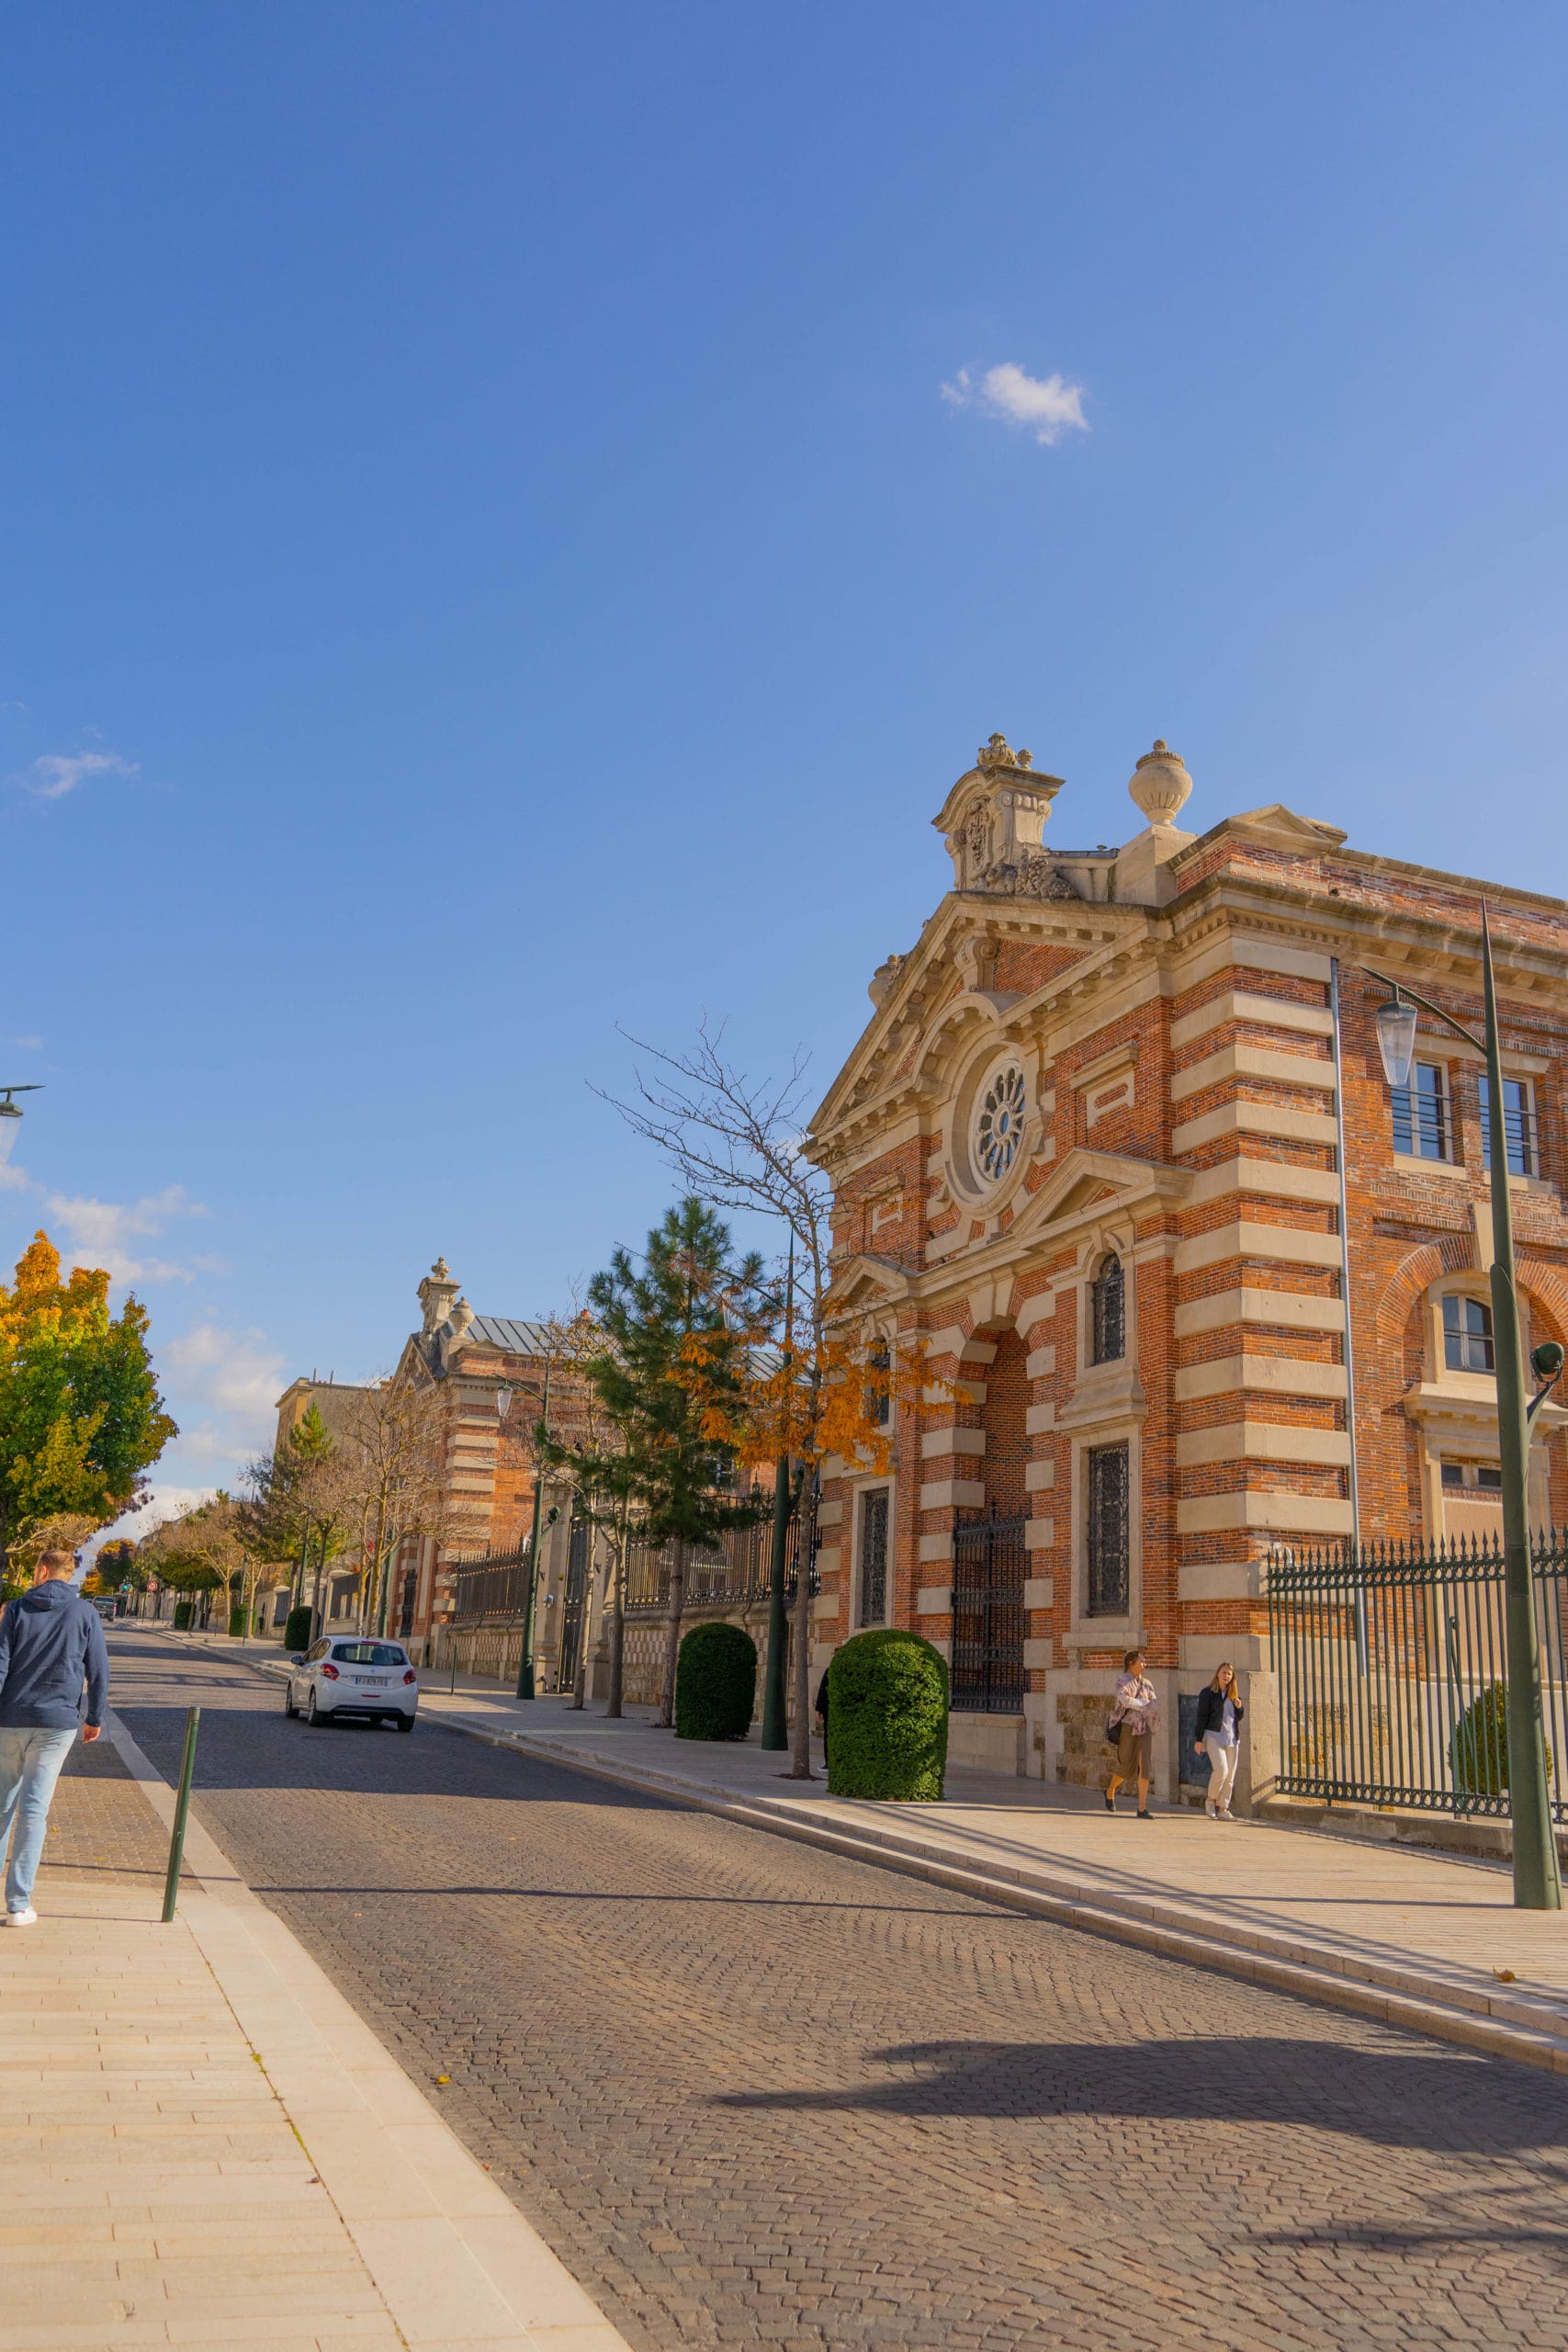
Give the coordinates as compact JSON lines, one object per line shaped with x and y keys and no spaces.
{"x":81,"y":1417}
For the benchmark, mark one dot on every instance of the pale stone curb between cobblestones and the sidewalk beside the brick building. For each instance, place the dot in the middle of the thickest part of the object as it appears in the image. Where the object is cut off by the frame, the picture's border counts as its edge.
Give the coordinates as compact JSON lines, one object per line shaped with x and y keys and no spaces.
{"x":1445,"y":2007}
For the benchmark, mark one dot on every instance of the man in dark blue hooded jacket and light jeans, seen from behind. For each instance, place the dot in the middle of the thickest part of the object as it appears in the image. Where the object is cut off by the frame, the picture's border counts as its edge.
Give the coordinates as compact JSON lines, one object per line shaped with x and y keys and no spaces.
{"x":51,"y":1643}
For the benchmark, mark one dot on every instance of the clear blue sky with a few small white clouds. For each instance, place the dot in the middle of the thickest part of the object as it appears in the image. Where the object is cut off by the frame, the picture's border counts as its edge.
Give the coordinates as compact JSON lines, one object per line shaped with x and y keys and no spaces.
{"x":490,"y":559}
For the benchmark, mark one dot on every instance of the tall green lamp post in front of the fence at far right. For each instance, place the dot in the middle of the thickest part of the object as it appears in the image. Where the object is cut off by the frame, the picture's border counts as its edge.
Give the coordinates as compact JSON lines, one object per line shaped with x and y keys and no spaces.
{"x":1536,"y":1873}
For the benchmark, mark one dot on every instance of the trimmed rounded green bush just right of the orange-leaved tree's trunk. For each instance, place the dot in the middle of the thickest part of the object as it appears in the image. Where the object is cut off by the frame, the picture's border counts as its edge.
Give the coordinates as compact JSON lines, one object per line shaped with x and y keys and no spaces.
{"x":887,"y":1718}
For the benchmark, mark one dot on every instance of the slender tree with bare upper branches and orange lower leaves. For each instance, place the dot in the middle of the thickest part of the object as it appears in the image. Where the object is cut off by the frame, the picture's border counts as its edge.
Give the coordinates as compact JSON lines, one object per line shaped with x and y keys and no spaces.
{"x":817,"y":1391}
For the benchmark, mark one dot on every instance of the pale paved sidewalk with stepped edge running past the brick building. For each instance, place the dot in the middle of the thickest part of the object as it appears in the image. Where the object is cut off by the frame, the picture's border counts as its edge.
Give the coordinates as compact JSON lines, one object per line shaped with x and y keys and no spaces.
{"x":1400,"y":1935}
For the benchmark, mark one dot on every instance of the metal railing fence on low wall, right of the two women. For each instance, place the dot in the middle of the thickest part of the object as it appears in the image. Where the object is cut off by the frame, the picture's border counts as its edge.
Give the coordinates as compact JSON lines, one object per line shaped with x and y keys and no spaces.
{"x":1393,"y":1673}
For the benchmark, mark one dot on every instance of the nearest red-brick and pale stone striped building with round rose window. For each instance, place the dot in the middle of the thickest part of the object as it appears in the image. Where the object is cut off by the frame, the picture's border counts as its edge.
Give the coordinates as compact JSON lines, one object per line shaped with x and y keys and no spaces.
{"x":1118,"y":1151}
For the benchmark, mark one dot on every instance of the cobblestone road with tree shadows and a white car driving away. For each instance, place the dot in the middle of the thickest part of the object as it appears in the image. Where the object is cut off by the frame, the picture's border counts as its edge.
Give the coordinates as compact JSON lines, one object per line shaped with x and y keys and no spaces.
{"x":763,"y":2097}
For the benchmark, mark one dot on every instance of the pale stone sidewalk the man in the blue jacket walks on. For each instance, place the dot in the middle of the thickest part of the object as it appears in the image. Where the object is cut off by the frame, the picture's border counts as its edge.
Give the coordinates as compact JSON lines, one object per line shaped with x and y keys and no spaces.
{"x":206,"y":2146}
